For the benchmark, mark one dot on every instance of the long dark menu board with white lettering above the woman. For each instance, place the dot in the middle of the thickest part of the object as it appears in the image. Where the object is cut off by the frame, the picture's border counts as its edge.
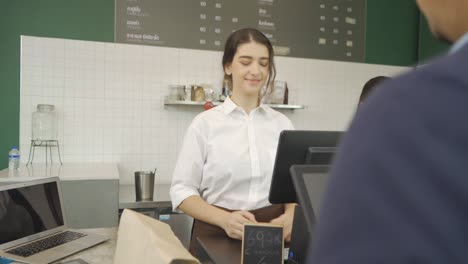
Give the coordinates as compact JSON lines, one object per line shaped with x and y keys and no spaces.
{"x":322,"y":29}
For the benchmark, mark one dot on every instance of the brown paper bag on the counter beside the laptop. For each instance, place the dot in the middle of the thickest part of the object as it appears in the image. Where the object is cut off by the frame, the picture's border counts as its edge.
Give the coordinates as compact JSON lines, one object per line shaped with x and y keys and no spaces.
{"x":142,"y":239}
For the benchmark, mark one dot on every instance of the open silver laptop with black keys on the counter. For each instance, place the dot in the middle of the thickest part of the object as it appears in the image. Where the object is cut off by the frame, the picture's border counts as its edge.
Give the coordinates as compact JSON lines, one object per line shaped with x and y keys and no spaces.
{"x":33,"y":225}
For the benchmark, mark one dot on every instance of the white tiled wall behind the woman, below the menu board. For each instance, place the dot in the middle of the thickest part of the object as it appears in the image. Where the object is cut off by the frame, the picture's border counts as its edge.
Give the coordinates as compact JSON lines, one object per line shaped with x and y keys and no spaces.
{"x":109,"y":97}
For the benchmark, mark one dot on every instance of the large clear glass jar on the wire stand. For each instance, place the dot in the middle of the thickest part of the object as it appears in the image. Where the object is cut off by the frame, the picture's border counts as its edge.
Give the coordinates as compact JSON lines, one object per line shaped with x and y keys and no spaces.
{"x":44,"y":123}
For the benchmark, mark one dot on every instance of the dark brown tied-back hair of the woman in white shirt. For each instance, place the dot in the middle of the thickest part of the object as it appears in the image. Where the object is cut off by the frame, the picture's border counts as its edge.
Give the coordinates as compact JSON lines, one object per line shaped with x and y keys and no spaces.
{"x":243,"y":36}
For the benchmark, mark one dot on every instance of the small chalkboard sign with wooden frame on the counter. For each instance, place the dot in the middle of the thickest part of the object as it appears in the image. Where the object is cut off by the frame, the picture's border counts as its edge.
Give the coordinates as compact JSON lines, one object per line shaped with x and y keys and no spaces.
{"x":262,"y":244}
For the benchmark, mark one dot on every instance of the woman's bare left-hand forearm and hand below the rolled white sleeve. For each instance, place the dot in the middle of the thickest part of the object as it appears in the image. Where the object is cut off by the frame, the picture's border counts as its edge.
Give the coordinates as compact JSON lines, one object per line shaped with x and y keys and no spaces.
{"x":232,"y":223}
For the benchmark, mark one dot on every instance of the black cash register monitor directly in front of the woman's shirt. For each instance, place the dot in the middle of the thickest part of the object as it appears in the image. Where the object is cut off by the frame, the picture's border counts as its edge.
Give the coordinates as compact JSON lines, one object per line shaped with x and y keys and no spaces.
{"x":296,"y":147}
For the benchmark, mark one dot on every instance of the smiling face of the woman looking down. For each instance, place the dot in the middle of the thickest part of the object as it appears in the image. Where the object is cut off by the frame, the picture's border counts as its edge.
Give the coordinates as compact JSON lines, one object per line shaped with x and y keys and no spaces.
{"x":249,"y":68}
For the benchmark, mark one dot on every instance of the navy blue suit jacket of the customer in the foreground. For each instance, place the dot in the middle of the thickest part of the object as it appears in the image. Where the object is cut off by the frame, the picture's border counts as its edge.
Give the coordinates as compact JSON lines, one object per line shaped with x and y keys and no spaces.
{"x":398,"y":189}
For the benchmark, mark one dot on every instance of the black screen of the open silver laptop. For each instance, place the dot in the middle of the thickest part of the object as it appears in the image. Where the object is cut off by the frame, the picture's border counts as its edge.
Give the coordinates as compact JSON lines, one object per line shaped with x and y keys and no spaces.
{"x":25,"y":211}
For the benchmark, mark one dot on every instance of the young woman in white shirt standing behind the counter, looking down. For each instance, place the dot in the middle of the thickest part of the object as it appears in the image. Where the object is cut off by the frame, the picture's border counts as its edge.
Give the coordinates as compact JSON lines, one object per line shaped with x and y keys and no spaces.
{"x":223,"y":173}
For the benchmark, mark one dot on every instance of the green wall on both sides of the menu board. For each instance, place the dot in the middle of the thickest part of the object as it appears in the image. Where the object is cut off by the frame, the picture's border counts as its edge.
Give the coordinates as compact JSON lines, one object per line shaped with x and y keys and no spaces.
{"x":392,"y":38}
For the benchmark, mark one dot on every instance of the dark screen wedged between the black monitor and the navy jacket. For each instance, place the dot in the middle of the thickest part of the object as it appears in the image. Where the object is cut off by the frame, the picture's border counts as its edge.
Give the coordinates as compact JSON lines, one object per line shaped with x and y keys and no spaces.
{"x":310,"y":184}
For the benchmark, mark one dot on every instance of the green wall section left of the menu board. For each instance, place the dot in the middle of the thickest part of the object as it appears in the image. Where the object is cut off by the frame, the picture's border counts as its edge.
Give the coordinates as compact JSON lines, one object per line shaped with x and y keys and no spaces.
{"x":71,"y":19}
